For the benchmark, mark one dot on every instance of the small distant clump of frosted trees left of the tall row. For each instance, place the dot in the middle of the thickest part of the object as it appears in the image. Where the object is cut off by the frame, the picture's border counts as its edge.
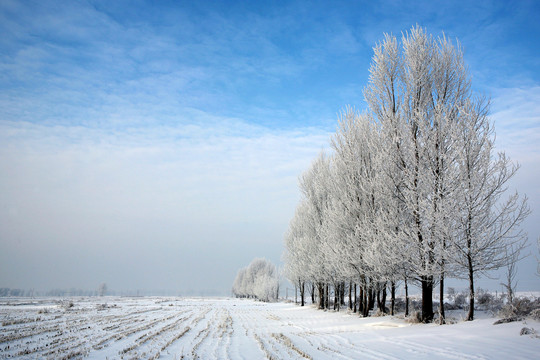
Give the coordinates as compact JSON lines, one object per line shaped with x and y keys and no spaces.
{"x":259,"y":280}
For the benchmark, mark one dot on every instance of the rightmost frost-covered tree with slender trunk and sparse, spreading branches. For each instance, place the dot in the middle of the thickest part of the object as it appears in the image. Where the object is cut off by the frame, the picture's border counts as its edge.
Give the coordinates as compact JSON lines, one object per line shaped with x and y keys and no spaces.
{"x":488,"y":235}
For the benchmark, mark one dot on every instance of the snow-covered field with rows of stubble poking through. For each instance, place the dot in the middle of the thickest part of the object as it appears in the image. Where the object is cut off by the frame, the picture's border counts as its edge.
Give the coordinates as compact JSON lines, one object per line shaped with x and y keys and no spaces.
{"x":174,"y":328}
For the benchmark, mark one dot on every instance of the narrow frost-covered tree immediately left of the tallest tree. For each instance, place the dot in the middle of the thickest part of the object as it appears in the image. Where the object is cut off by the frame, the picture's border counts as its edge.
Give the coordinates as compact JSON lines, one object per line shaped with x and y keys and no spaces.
{"x":356,"y":201}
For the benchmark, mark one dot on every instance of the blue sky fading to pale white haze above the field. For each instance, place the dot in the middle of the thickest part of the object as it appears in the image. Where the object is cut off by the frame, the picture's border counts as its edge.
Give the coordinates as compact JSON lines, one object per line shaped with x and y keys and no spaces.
{"x":156,"y":145}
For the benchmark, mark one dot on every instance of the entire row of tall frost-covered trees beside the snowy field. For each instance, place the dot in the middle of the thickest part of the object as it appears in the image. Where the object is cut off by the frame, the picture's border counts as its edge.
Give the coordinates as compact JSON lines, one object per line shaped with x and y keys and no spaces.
{"x":413,"y":189}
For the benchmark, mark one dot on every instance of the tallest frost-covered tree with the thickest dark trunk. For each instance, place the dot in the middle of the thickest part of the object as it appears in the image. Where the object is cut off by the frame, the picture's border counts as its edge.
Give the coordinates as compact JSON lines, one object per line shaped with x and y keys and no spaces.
{"x":414,"y":92}
